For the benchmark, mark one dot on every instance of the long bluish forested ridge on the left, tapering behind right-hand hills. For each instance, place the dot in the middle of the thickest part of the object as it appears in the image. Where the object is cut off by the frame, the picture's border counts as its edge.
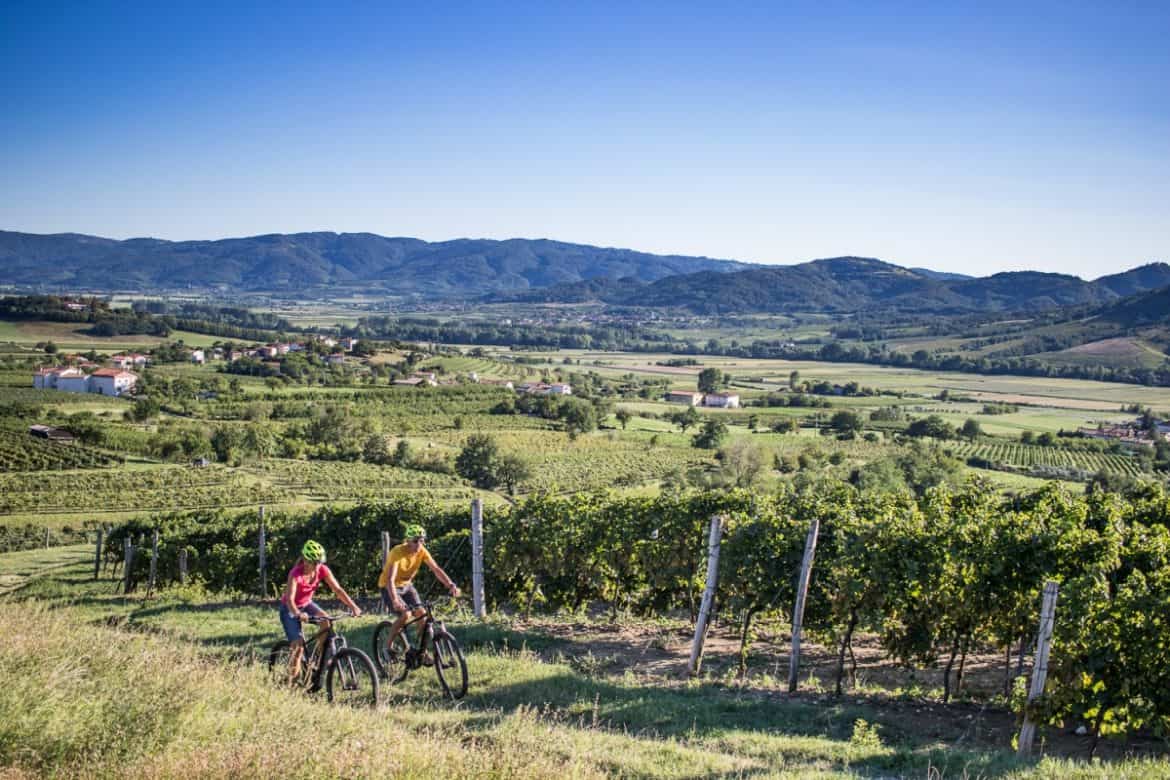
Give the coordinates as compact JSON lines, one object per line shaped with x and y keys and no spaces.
{"x":339,"y":261}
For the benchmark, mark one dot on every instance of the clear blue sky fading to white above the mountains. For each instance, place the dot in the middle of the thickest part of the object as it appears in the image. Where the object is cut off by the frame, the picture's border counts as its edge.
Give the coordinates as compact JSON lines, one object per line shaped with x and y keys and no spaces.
{"x":968,"y":137}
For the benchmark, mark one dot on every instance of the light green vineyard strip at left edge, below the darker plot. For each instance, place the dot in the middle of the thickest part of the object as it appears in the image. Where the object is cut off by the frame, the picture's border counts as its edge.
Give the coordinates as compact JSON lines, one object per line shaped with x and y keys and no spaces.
{"x":168,"y":488}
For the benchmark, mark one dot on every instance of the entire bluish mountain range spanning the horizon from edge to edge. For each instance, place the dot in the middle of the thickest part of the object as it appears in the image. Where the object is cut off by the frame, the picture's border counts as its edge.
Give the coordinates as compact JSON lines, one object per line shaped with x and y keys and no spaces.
{"x":539,"y":271}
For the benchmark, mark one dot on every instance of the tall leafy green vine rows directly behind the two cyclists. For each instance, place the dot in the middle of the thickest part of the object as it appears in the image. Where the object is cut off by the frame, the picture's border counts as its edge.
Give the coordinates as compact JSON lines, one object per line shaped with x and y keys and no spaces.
{"x":938,"y":578}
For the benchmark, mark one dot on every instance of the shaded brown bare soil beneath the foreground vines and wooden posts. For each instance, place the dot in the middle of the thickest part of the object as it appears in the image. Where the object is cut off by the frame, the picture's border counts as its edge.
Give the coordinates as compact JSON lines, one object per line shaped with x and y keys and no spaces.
{"x":906,"y":702}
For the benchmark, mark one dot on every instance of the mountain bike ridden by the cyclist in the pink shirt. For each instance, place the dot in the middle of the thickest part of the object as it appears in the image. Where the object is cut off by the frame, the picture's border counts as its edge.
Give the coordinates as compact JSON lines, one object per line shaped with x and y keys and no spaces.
{"x":349,"y":674}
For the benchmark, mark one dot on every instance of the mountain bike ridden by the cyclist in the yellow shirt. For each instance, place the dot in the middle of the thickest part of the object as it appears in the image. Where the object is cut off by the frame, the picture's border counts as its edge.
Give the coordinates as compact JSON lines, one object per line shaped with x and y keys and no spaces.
{"x":402,"y":658}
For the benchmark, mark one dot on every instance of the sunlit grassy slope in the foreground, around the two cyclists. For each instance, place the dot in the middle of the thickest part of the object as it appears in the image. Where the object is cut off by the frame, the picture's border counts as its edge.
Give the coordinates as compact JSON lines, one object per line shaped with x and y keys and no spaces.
{"x":196,"y":710}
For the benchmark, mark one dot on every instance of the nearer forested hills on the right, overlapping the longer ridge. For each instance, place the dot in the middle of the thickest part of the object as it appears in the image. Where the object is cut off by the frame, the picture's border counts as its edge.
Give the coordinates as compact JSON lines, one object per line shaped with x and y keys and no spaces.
{"x":852,"y":285}
